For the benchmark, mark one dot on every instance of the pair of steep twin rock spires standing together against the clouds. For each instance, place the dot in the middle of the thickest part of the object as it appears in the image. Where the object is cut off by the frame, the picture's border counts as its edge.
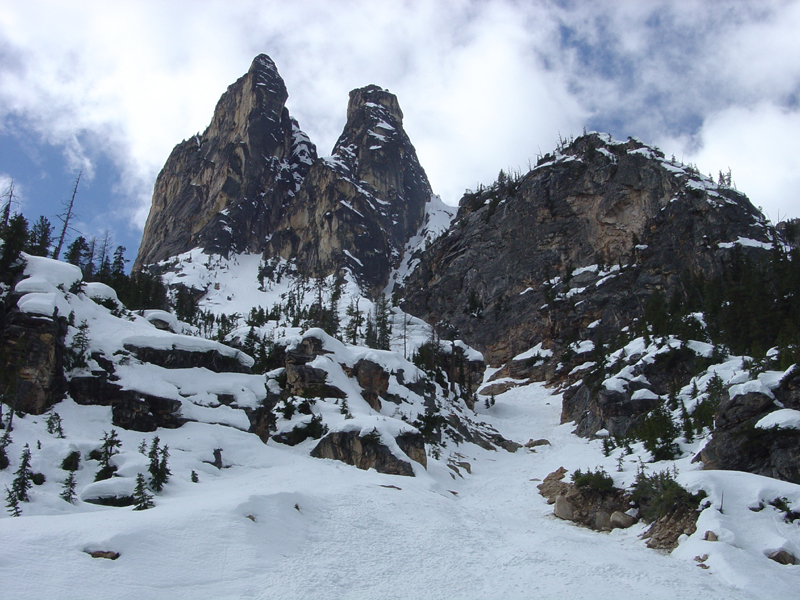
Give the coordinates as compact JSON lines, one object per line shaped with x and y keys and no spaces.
{"x":252,"y":182}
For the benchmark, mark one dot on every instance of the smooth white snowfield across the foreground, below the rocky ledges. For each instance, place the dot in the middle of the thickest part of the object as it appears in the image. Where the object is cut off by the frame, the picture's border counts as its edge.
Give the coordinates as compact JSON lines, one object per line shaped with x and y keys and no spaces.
{"x":275,"y":523}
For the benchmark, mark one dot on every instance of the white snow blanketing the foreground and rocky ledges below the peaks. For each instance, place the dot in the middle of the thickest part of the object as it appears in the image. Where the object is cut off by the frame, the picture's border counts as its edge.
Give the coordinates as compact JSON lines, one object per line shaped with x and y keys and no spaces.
{"x":276,"y":523}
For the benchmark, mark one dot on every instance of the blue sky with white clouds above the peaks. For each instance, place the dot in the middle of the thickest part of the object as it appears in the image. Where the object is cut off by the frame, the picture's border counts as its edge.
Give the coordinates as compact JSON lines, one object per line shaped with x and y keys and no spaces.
{"x":109,"y":88}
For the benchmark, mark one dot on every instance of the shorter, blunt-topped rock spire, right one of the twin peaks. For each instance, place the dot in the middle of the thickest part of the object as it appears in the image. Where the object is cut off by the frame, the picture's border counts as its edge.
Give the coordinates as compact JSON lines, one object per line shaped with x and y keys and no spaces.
{"x":358,"y":208}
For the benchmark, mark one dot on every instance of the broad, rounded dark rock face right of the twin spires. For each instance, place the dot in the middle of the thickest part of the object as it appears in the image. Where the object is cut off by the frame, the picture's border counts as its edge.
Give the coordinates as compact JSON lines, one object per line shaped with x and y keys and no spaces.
{"x":526,"y":260}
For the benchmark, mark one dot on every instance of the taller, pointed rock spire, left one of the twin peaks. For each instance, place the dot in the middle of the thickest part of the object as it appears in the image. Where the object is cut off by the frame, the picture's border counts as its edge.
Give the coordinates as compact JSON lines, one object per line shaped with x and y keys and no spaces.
{"x":223,"y":190}
